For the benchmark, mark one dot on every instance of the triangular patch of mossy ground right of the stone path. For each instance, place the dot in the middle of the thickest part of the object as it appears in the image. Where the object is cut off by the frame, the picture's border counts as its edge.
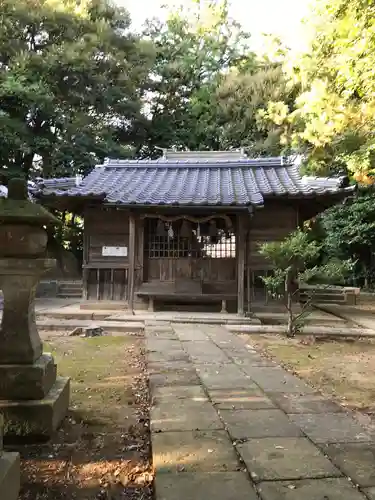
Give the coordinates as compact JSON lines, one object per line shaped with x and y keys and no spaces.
{"x":344,"y":370}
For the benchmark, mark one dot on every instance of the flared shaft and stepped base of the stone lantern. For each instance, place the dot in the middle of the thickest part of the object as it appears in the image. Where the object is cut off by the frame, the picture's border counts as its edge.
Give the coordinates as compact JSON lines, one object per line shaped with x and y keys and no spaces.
{"x":32,"y":399}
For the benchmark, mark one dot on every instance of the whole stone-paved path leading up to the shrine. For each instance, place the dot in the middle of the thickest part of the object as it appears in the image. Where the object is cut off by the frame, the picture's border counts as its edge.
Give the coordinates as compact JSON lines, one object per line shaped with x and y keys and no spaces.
{"x":228,"y":424}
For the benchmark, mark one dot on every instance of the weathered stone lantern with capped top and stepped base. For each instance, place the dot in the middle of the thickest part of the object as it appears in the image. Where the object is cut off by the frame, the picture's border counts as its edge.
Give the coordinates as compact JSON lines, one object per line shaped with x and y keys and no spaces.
{"x":33,"y":400}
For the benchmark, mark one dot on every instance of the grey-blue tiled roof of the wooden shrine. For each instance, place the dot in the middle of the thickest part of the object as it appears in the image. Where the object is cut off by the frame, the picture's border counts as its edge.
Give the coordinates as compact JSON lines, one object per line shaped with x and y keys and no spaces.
{"x":225,"y":181}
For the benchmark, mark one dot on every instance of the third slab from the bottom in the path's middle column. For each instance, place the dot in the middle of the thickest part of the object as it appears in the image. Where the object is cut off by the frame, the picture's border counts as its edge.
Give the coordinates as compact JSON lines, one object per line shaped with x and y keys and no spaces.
{"x":242,"y":424}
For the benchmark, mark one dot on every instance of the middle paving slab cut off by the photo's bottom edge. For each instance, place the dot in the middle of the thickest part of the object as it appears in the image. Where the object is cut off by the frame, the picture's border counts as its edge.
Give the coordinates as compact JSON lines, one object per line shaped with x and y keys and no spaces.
{"x":310,"y":489}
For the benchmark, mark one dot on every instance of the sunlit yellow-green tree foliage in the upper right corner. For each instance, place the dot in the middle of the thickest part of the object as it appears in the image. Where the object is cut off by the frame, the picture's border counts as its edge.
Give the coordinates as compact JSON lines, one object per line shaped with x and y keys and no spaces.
{"x":333,"y":121}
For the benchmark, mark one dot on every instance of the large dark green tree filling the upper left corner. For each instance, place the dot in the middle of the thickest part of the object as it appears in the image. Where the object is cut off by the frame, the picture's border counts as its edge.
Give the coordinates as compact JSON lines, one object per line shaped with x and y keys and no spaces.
{"x":71,"y":80}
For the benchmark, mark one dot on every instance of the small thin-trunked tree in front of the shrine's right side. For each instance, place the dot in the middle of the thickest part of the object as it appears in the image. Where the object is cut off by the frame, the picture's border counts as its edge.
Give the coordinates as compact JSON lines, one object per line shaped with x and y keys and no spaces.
{"x":294,"y":262}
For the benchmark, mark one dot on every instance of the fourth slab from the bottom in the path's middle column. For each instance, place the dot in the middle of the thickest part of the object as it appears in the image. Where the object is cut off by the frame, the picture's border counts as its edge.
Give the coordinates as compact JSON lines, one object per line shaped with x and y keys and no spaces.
{"x":240,"y":399}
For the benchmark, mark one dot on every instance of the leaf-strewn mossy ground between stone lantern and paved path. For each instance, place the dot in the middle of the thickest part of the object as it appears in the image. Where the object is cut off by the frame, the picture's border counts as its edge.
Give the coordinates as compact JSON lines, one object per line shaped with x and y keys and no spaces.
{"x":102,"y":450}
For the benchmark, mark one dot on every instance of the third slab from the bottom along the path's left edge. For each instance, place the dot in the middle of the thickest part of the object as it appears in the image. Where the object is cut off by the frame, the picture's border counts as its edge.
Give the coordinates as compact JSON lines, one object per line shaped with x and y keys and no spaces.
{"x":185,"y":415}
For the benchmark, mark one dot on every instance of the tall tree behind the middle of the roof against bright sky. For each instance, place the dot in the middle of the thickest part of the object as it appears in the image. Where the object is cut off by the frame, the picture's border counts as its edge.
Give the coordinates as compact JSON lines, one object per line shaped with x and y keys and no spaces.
{"x":194,"y":48}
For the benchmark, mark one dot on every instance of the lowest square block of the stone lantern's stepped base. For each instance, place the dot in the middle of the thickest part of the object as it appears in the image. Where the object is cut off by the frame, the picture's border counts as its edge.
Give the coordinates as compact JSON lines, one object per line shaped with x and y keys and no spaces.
{"x":36,"y":420}
